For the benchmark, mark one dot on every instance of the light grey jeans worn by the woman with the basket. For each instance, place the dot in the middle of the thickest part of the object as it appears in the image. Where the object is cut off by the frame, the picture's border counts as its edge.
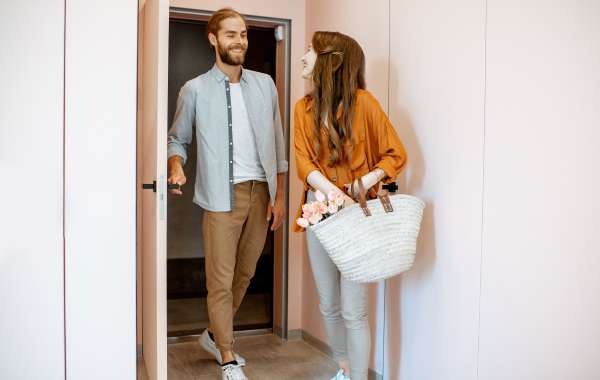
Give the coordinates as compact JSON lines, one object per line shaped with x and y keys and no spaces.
{"x":344,"y":308}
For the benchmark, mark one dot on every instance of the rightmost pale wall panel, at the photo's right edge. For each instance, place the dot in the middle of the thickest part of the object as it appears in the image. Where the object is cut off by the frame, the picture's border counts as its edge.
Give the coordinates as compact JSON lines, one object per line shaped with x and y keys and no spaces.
{"x":540,"y":304}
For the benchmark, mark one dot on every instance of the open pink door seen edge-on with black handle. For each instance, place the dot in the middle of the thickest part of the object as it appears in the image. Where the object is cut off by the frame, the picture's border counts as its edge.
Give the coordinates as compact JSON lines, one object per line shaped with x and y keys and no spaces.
{"x":152,"y":165}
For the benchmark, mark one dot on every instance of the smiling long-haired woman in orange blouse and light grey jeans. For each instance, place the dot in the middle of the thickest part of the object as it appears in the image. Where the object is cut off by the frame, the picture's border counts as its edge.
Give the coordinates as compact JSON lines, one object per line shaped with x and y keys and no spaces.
{"x":341,"y":133}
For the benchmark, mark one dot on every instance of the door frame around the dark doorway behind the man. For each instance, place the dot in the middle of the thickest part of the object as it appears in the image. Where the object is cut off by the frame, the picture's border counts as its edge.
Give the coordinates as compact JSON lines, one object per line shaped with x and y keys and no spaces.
{"x":281,"y":236}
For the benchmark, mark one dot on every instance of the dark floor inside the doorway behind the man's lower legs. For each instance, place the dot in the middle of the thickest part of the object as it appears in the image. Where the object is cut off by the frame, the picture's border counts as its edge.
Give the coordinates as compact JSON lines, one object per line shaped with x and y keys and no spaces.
{"x":191,"y":314}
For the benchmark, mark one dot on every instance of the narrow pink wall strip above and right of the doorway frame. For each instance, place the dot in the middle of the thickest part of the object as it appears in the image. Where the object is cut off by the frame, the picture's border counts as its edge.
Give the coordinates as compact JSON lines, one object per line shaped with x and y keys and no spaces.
{"x":295,"y":11}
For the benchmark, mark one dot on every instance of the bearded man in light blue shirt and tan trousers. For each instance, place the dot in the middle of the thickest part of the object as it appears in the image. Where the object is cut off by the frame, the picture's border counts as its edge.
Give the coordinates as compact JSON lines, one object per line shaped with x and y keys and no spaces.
{"x":239,"y":178}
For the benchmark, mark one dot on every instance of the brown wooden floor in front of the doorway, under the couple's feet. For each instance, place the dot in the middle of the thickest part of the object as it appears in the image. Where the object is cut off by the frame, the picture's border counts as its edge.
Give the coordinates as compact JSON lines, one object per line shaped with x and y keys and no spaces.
{"x":267,"y":356}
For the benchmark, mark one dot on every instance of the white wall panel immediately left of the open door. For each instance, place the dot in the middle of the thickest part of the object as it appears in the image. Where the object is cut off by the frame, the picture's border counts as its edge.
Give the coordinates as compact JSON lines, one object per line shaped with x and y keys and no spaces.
{"x":101,"y":59}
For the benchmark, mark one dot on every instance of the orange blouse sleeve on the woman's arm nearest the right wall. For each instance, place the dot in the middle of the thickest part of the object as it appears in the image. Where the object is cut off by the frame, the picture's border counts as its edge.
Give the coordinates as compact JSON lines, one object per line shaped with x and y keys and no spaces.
{"x":390,"y":153}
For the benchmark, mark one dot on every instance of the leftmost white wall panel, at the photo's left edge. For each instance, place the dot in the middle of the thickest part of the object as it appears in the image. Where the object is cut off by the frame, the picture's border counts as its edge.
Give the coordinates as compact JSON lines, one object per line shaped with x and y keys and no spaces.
{"x":31,"y":190}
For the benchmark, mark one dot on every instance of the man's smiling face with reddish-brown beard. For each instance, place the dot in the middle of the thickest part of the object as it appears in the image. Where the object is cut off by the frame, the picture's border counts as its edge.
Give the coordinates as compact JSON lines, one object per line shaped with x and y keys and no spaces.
{"x":232,"y":41}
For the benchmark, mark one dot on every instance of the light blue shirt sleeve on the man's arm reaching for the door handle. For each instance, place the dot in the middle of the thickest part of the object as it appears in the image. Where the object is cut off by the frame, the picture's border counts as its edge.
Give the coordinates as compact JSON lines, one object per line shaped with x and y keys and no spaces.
{"x":181,"y":131}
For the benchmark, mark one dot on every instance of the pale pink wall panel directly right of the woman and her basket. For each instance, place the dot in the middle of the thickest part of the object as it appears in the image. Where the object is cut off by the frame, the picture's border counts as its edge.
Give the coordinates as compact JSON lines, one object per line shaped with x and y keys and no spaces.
{"x":437,"y":82}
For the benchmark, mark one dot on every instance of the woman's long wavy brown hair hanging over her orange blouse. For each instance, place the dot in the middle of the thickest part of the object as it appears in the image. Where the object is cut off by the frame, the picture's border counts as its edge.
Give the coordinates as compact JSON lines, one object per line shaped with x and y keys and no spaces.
{"x":337,"y":75}
